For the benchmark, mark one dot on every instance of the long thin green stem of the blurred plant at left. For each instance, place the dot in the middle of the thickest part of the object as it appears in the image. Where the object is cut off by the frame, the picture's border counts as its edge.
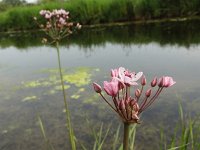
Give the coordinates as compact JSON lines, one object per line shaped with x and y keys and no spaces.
{"x":71,"y":133}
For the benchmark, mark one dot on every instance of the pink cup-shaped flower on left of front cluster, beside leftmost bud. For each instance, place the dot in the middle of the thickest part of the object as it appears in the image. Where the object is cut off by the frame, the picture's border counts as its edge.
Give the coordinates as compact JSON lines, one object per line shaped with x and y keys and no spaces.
{"x":111,"y":88}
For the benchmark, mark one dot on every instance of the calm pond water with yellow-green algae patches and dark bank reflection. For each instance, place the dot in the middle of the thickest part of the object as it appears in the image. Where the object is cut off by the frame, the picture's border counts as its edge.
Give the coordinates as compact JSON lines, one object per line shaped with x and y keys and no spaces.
{"x":30,"y":85}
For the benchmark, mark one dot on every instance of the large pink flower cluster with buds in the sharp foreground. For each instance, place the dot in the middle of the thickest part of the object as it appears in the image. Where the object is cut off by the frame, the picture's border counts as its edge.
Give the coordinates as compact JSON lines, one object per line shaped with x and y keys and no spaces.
{"x":129,"y":107}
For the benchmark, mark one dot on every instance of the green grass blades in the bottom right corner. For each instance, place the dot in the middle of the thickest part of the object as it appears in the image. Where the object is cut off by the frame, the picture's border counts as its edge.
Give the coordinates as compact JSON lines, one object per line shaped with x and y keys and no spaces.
{"x":186,"y":134}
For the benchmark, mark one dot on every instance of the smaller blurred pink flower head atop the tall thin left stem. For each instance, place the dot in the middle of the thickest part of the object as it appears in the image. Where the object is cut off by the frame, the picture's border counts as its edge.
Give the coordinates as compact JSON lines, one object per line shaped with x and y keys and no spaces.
{"x":57,"y":24}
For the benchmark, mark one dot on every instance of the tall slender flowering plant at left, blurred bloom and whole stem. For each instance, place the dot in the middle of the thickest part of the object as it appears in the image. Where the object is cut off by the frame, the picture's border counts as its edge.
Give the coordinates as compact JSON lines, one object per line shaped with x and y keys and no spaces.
{"x":57,"y":26}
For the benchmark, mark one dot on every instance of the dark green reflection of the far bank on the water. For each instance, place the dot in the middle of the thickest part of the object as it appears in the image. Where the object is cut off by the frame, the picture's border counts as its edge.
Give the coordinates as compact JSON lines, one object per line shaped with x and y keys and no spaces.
{"x":177,"y":33}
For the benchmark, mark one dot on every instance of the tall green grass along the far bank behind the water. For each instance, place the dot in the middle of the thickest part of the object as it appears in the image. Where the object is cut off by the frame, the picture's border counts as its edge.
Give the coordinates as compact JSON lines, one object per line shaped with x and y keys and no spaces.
{"x":101,"y":11}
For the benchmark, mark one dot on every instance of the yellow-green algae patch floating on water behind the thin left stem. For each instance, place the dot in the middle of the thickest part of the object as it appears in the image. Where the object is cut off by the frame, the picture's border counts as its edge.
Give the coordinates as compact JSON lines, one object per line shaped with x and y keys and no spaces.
{"x":78,"y":78}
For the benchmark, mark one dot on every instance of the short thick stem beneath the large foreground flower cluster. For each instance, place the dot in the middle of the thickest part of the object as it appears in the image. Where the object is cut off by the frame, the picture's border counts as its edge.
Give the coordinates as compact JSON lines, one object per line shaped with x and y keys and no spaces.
{"x":126,"y":136}
